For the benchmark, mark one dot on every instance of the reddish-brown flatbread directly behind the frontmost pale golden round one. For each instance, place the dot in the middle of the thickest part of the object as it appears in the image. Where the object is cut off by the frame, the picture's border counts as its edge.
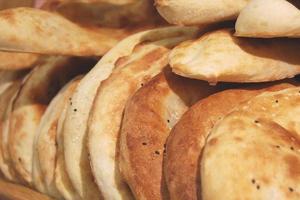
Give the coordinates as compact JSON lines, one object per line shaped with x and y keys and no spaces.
{"x":187,"y":138}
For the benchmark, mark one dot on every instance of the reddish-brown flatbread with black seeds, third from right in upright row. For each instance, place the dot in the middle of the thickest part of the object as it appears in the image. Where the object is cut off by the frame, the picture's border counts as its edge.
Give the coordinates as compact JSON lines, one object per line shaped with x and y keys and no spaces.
{"x":148,"y":118}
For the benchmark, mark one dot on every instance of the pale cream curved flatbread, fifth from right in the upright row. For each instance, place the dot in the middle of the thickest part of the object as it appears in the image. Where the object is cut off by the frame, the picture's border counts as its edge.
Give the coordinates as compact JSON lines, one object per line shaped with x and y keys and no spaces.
{"x":75,"y":127}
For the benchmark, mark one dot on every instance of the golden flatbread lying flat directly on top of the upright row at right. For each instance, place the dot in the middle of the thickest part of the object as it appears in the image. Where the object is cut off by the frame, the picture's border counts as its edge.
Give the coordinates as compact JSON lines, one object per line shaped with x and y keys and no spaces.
{"x":219,"y":56}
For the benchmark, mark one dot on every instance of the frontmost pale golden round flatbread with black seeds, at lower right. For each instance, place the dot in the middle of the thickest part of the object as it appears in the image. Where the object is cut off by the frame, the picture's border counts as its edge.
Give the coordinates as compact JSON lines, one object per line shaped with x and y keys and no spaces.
{"x":255,"y":149}
